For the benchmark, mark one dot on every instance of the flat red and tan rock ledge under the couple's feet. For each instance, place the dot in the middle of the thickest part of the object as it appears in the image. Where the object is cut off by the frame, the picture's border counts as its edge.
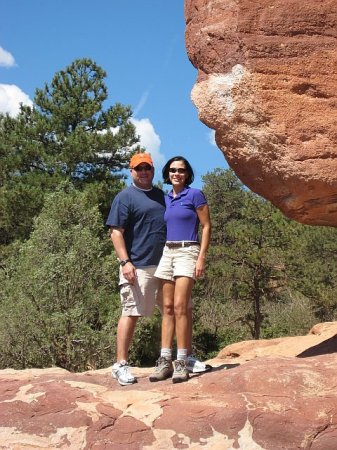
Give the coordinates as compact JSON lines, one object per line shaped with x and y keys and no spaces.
{"x":267,"y":399}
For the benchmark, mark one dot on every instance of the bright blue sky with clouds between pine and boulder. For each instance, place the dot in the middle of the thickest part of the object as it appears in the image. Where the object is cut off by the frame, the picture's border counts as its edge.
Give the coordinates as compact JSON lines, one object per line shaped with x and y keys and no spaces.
{"x":139,"y":43}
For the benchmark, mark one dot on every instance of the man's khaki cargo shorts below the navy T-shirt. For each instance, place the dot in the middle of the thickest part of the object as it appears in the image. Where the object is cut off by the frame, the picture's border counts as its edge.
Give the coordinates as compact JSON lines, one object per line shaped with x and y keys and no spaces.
{"x":140,"y":299}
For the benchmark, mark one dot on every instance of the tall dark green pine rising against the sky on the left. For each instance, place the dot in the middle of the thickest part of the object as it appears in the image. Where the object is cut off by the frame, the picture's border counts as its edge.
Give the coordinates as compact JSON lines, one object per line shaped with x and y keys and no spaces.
{"x":66,"y":136}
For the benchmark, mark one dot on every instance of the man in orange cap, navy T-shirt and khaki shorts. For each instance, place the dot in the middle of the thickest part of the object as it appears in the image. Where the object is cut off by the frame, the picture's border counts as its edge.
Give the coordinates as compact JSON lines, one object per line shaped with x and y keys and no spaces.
{"x":138,"y":233}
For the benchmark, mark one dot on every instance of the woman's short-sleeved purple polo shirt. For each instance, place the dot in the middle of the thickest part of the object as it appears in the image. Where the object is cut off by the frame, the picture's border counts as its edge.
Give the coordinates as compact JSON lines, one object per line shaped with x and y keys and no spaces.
{"x":180,"y":215}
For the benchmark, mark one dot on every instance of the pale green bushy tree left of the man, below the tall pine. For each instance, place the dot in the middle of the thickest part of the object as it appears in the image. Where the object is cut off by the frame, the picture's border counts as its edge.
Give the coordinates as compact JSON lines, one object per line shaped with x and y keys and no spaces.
{"x":59,"y":290}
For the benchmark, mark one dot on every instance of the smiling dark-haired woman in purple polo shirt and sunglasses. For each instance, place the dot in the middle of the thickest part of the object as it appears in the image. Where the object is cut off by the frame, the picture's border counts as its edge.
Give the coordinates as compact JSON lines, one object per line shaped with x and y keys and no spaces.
{"x":183,"y":261}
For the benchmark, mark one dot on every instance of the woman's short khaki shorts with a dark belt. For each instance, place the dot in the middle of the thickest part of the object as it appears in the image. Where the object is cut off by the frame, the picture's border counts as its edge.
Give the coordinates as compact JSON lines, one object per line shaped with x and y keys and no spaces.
{"x":178,"y":262}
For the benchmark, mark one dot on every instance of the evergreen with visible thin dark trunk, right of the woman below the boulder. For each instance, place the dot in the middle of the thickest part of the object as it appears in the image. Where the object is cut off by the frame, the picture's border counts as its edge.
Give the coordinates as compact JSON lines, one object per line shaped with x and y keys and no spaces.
{"x":257,"y":259}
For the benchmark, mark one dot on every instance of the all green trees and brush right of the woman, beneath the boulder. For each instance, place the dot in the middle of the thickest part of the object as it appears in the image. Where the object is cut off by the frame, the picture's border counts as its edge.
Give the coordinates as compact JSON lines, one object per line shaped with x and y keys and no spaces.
{"x":266,"y":275}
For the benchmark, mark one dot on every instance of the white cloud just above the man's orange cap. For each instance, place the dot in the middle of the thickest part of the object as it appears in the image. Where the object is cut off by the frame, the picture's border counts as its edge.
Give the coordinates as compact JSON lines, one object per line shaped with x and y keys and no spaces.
{"x":150,"y":140}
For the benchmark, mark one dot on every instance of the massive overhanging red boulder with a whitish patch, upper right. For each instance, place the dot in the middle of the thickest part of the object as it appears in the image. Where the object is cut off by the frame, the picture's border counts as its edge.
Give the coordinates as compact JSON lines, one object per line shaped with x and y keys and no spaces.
{"x":267,"y":79}
